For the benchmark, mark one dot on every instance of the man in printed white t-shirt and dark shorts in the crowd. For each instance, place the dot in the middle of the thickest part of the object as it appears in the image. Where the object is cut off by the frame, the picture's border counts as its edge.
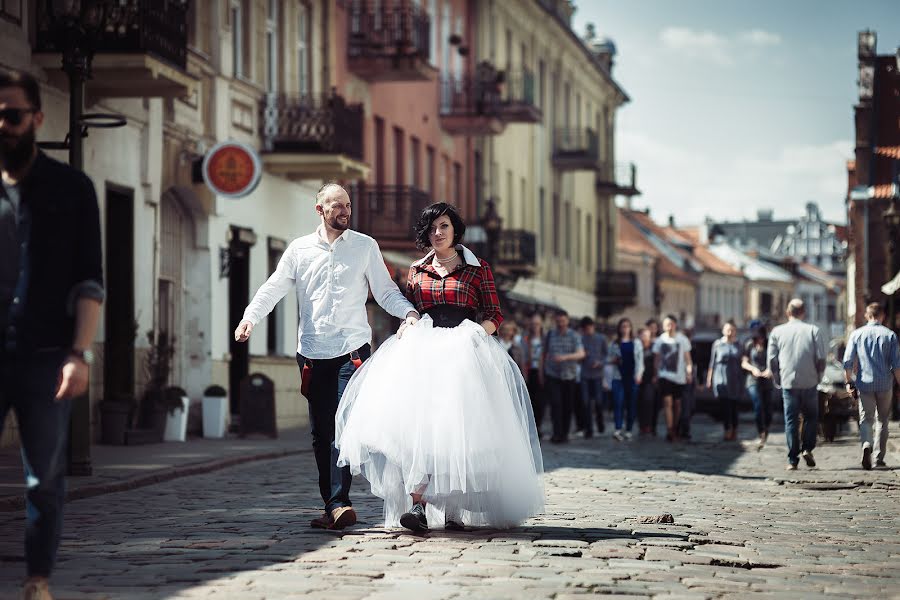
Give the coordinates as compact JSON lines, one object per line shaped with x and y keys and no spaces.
{"x":674,"y":369}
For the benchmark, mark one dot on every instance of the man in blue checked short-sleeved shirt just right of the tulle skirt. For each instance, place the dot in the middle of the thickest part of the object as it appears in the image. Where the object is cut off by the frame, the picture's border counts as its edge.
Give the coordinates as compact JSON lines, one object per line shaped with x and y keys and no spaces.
{"x":564,"y":350}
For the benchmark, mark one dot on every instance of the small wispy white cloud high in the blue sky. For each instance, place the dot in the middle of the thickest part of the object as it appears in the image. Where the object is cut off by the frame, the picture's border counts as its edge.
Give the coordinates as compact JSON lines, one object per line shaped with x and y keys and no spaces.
{"x":714,"y":47}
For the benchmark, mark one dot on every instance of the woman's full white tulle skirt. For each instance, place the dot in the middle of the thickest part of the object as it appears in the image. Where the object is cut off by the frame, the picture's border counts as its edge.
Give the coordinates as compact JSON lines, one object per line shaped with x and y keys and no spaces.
{"x":443,"y":412}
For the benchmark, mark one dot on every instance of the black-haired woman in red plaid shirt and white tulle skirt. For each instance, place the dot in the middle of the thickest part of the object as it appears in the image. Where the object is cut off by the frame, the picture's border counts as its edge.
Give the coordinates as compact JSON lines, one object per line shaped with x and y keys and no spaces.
{"x":464,"y":451}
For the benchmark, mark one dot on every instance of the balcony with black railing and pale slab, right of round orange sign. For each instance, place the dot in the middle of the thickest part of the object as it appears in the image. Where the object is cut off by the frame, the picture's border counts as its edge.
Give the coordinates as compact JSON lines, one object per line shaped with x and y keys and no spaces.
{"x":312,"y":137}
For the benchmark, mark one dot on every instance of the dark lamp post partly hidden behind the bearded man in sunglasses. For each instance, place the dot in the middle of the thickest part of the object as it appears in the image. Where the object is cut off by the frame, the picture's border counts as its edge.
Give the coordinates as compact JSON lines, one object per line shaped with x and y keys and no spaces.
{"x":75,"y":26}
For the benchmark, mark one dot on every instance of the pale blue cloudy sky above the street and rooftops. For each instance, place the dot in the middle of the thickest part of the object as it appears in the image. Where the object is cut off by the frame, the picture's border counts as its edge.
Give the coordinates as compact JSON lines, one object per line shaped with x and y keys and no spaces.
{"x":738,"y":106}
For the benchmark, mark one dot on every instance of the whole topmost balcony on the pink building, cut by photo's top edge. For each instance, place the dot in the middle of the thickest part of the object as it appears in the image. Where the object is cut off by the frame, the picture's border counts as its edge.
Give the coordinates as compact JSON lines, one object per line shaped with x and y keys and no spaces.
{"x":389,"y":42}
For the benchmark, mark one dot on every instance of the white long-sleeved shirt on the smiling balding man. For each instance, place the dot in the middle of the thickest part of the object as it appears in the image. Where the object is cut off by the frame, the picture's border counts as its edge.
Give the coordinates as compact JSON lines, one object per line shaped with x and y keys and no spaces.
{"x":332,"y":283}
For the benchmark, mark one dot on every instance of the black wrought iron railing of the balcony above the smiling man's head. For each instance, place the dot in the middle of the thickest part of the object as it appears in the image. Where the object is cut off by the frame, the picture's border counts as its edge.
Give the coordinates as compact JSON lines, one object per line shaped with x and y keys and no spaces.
{"x":314,"y":124}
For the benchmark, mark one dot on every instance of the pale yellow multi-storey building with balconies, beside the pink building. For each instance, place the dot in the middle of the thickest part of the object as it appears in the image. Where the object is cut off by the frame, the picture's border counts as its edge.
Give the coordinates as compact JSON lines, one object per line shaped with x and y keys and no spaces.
{"x":553,"y":175}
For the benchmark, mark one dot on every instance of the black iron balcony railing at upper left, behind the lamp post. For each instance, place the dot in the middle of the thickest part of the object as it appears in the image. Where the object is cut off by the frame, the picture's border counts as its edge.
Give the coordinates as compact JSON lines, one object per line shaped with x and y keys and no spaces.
{"x":156,"y":27}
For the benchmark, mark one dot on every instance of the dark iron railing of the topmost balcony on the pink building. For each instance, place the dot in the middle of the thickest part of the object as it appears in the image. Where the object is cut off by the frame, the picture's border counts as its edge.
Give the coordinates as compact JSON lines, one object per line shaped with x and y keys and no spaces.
{"x":399,"y":32}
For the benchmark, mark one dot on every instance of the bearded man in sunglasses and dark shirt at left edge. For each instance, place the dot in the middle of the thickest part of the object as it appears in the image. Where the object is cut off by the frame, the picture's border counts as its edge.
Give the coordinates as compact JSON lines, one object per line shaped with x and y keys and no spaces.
{"x":51,"y":290}
